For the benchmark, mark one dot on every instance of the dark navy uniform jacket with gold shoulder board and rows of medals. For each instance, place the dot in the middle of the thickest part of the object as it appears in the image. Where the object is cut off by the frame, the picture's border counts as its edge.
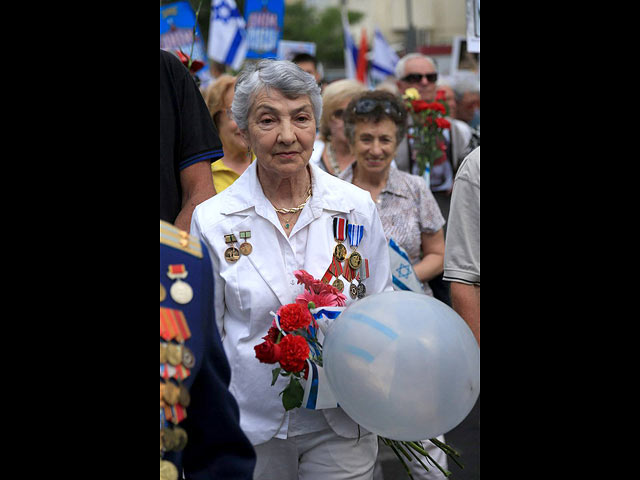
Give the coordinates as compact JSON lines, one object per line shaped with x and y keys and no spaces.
{"x":216,"y":446}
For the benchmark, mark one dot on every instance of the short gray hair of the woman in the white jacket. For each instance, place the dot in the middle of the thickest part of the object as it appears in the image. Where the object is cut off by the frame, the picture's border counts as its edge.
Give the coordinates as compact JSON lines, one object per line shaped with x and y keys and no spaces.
{"x":282,"y":75}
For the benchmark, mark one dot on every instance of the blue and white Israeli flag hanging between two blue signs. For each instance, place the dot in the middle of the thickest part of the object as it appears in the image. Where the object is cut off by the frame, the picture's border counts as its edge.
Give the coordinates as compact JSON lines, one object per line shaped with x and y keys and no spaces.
{"x":227,"y":34}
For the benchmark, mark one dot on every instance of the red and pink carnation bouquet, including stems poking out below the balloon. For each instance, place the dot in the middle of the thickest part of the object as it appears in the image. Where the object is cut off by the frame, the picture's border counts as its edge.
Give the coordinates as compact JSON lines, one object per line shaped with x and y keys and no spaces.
{"x":292,"y":343}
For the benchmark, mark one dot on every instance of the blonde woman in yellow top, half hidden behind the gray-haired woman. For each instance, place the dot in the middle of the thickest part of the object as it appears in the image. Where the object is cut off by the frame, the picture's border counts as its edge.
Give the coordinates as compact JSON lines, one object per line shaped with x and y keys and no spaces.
{"x":237,"y":156}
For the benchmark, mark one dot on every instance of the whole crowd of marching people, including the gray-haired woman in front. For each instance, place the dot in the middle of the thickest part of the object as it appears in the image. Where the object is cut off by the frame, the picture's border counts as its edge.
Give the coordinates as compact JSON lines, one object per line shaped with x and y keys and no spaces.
{"x":275,"y":156}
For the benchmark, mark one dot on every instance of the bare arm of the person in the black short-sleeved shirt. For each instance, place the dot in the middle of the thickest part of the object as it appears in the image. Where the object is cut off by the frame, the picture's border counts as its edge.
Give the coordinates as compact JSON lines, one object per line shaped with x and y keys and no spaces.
{"x":197,"y":186}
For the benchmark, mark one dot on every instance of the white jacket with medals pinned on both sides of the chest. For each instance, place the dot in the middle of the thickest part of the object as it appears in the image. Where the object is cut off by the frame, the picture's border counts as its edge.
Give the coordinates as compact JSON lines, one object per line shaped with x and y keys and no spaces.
{"x":248,"y":289}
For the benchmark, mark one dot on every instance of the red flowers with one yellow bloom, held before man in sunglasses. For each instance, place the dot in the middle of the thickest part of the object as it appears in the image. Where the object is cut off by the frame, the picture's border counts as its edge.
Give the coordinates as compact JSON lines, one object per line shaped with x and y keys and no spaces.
{"x":428,"y":124}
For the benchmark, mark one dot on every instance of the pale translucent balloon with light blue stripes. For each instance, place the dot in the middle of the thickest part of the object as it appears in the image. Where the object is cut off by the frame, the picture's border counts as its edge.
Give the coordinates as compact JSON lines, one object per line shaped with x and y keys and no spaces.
{"x":403,"y":365}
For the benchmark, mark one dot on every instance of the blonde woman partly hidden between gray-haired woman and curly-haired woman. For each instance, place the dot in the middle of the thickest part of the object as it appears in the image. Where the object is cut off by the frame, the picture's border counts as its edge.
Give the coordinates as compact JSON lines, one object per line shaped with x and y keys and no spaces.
{"x":331,"y":151}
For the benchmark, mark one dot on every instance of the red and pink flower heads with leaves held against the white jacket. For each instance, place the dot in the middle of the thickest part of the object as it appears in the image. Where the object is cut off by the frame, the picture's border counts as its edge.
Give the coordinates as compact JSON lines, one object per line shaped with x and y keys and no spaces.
{"x":293,"y":336}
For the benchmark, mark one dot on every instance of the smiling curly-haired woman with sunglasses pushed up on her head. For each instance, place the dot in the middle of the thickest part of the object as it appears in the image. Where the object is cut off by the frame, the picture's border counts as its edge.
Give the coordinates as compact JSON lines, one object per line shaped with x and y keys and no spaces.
{"x":375,"y":122}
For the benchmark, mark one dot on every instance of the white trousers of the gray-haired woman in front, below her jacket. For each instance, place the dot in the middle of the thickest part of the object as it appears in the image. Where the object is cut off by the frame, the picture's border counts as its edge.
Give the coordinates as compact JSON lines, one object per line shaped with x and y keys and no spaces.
{"x":317,"y":456}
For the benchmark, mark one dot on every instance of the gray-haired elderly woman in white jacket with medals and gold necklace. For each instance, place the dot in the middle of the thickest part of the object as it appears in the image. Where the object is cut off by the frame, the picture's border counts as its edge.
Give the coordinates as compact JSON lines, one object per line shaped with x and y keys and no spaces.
{"x":288,"y":207}
